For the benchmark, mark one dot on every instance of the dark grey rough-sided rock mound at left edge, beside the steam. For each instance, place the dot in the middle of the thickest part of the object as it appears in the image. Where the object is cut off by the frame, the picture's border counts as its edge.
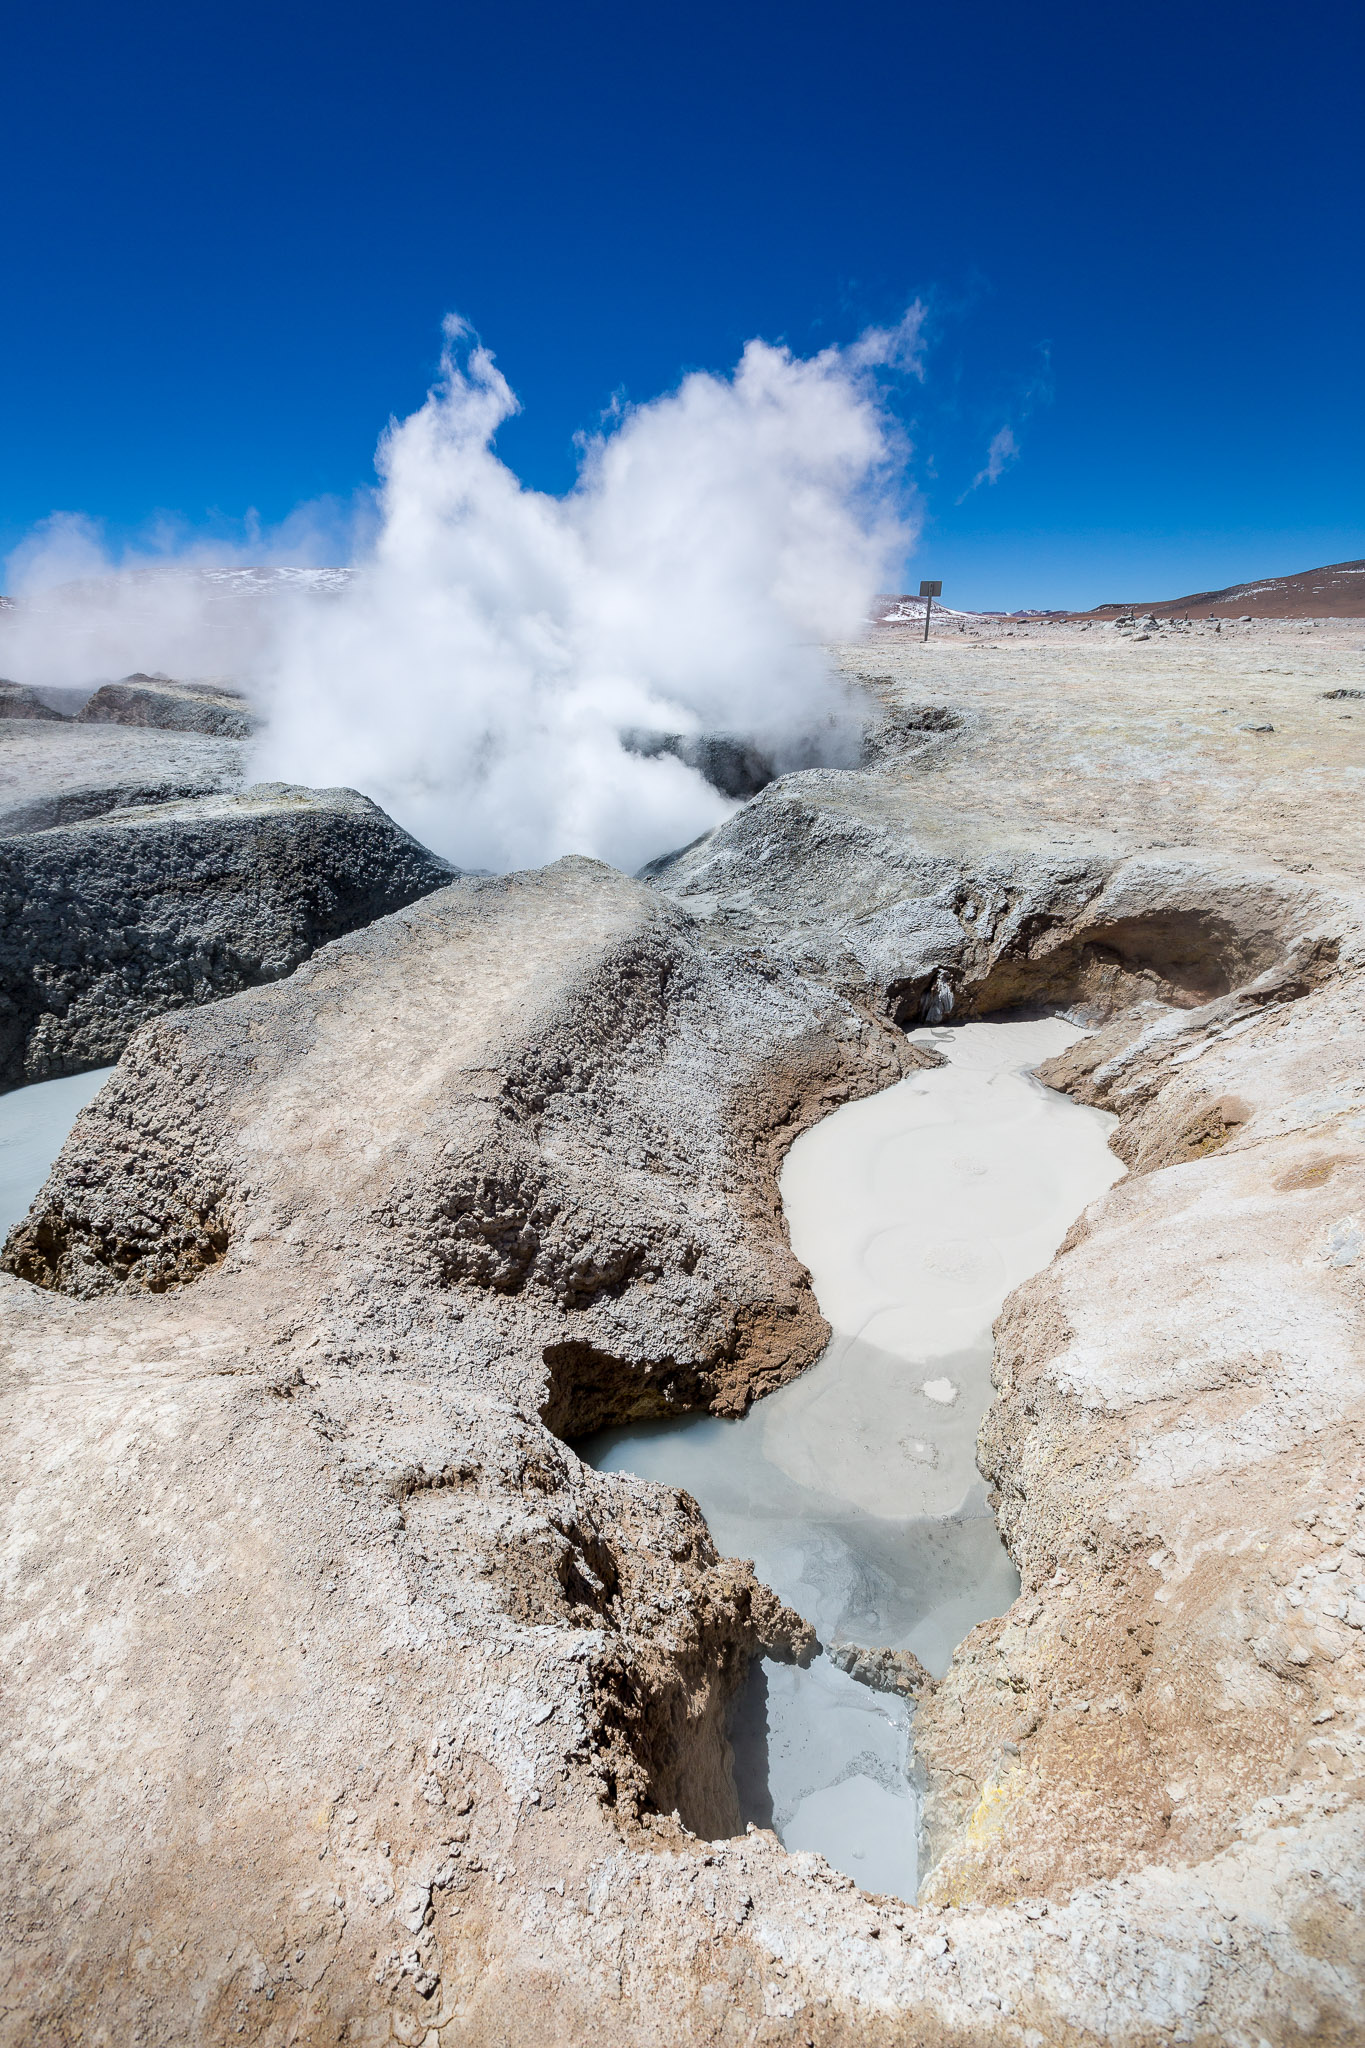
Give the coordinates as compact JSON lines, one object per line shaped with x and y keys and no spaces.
{"x":120,"y":919}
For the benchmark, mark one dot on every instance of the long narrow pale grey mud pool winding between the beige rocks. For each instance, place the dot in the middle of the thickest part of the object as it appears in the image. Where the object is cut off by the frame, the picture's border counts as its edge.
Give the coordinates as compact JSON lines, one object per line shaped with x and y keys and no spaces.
{"x":856,"y":1490}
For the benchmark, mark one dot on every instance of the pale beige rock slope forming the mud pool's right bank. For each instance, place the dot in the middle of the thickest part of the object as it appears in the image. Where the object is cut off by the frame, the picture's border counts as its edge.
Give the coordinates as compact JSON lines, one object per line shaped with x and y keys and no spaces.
{"x":1180,"y":1453}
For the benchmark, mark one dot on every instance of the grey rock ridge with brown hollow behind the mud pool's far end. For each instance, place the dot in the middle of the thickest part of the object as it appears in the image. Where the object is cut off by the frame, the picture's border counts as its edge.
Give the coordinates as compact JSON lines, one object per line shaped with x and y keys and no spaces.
{"x":863,"y":882}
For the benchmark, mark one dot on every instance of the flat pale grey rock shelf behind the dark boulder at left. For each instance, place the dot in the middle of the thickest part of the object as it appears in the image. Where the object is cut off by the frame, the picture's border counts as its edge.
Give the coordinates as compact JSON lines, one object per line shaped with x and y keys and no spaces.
{"x":58,"y":773}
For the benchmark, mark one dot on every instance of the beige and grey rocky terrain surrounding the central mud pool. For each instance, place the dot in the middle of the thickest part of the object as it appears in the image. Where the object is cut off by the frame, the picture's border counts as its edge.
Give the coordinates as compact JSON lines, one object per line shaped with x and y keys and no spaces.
{"x":347,"y":1705}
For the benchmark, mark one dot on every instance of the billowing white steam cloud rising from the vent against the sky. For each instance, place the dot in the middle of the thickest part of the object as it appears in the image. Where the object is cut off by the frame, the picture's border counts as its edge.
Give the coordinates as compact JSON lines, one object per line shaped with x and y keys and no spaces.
{"x":480,"y":669}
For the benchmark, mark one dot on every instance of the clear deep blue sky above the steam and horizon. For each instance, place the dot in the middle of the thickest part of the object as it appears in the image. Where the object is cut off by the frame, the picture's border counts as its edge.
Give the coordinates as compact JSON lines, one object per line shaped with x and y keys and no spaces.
{"x":230,"y":234}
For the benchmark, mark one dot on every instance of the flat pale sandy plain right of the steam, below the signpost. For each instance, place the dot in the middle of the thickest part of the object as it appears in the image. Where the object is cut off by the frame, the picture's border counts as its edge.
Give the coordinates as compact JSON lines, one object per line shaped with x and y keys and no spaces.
{"x":1125,"y":742}
